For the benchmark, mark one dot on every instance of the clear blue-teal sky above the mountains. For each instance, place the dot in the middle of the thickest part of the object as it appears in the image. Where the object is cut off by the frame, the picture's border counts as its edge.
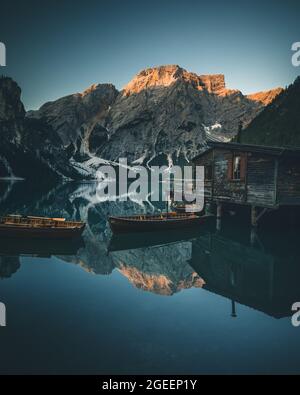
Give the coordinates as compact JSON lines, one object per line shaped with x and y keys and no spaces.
{"x":55,"y":48}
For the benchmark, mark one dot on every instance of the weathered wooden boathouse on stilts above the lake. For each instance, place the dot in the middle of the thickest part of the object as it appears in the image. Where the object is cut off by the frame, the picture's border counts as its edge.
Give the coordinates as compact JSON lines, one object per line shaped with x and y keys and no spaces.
{"x":258,"y":176}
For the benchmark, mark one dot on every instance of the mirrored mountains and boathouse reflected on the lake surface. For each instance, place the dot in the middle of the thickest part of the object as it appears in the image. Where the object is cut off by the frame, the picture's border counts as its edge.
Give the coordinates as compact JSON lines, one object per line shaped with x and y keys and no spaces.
{"x":263,"y":276}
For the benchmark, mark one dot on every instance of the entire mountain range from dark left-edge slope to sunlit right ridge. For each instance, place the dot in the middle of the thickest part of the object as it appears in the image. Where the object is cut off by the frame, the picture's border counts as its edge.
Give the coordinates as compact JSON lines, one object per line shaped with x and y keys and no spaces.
{"x":164,"y":112}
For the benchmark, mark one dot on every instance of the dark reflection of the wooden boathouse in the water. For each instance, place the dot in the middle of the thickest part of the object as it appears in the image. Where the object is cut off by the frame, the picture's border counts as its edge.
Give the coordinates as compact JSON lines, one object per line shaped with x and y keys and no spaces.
{"x":252,"y":276}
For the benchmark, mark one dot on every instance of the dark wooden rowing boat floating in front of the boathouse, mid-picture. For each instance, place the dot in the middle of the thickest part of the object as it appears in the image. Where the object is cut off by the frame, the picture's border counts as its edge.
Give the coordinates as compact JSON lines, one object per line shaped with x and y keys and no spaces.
{"x":146,"y":223}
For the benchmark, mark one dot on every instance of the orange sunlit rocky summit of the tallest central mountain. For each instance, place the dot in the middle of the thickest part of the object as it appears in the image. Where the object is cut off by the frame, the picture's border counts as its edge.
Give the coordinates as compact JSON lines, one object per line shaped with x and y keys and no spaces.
{"x":164,"y":76}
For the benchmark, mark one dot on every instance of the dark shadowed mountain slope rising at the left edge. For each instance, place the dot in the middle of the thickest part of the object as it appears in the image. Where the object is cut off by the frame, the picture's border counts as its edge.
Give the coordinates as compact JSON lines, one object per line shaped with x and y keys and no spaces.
{"x":29,"y":148}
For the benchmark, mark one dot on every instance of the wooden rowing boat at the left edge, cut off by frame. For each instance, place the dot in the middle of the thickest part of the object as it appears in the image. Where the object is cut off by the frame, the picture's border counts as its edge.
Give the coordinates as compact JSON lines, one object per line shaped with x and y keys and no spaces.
{"x":39,"y":227}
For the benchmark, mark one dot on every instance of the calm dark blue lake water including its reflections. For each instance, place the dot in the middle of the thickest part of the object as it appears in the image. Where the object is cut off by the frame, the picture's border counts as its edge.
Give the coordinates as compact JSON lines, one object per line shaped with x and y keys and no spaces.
{"x":179,"y":302}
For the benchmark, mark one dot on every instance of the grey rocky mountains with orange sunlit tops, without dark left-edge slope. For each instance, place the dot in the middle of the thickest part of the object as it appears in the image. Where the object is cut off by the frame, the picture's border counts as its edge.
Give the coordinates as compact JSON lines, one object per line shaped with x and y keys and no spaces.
{"x":164,"y":111}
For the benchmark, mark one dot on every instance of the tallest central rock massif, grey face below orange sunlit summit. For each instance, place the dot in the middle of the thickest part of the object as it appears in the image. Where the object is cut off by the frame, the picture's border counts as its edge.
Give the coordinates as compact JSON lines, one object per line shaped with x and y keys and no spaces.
{"x":169,"y":111}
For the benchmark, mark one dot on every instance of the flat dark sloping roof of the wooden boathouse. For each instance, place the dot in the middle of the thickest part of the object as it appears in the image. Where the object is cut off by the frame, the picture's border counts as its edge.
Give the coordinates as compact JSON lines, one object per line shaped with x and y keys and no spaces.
{"x":259,"y":149}
